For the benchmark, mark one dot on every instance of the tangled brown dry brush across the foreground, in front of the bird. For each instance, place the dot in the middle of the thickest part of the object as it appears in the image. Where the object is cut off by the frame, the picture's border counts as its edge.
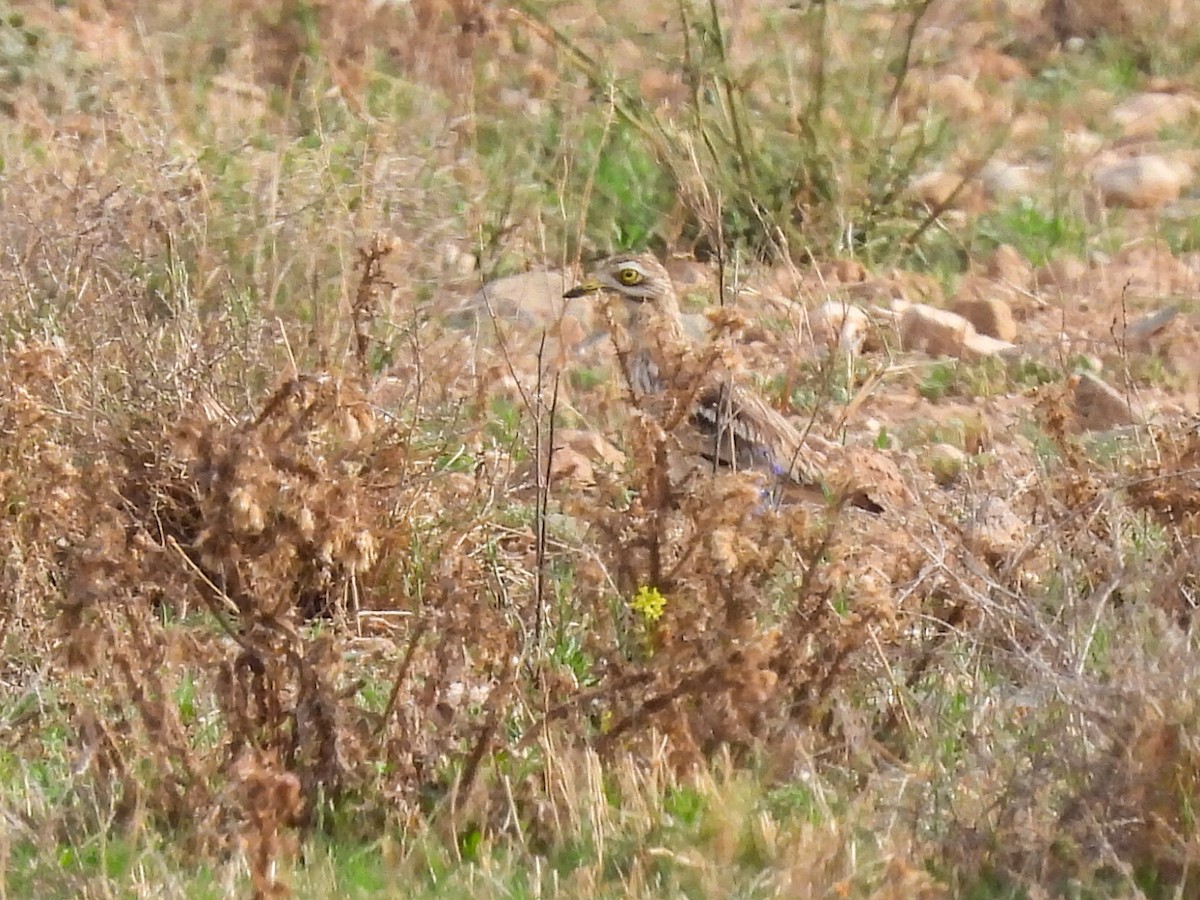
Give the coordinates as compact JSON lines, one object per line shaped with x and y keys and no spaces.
{"x":259,"y":585}
